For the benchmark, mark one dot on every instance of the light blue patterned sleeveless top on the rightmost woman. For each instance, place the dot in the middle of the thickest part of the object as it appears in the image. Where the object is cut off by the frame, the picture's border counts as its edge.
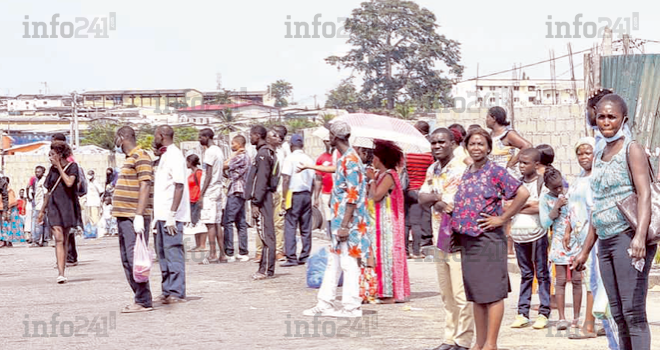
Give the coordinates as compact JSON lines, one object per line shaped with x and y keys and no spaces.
{"x":610,"y":183}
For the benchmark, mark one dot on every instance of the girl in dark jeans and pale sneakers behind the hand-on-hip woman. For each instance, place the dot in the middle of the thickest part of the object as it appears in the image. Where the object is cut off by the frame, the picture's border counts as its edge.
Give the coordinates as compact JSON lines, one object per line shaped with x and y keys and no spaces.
{"x":531,"y":244}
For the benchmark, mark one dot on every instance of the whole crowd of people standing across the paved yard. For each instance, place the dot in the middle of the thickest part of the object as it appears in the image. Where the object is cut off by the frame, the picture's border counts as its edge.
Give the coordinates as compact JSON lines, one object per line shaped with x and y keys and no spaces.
{"x":477,"y":198}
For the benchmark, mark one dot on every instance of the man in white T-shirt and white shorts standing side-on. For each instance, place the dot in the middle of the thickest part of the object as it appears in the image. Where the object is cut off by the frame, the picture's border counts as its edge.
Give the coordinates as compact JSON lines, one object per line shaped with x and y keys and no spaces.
{"x":211,"y":196}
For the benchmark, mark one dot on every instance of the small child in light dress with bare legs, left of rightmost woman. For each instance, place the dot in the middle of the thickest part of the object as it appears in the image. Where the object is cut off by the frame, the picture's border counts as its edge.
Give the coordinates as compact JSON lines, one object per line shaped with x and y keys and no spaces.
{"x":553,"y":212}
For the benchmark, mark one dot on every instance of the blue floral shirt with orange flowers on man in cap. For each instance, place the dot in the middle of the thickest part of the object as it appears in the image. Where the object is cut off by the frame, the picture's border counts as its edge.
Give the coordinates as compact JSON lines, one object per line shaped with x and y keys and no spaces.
{"x":349,"y":187}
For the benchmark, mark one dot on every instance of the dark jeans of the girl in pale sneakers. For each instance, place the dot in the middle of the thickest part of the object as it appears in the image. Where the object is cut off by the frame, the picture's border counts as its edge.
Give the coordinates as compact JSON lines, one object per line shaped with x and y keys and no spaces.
{"x":533,"y":257}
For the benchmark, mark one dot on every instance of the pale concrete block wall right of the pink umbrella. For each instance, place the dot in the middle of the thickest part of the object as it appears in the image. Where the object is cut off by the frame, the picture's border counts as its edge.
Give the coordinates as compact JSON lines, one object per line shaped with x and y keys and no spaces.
{"x":560,"y":126}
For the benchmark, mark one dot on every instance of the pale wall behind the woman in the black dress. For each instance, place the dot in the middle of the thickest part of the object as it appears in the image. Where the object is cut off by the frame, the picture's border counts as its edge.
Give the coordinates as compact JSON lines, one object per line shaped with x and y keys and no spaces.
{"x":20,"y":167}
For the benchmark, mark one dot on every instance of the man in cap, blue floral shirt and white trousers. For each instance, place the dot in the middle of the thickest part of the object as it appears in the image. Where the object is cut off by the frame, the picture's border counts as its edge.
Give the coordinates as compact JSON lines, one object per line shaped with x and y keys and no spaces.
{"x":349,"y":226}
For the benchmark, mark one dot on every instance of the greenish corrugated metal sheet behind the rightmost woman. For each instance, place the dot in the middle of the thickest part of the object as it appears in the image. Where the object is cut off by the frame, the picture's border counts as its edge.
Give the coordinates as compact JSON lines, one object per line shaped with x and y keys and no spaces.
{"x":636,"y":78}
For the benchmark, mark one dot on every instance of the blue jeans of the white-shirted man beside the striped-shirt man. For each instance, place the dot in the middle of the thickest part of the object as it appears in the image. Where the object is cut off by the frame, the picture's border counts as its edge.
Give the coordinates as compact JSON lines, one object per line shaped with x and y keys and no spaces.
{"x":172,"y":260}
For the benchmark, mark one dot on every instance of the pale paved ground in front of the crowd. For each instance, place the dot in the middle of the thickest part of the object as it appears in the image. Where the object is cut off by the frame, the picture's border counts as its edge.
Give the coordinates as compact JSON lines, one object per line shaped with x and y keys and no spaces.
{"x":228,"y":310}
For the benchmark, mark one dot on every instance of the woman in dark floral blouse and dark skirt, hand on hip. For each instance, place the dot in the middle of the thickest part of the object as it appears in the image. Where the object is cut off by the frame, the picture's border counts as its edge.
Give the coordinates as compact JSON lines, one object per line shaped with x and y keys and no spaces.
{"x":478,"y":218}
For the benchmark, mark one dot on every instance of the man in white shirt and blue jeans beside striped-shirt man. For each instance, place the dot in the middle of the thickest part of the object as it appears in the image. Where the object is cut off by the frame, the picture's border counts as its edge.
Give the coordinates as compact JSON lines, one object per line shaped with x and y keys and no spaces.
{"x":171,"y":211}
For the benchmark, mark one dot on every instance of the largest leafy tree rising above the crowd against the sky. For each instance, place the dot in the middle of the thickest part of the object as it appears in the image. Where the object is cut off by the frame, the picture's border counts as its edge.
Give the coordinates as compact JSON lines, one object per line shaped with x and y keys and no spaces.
{"x":396,"y":49}
